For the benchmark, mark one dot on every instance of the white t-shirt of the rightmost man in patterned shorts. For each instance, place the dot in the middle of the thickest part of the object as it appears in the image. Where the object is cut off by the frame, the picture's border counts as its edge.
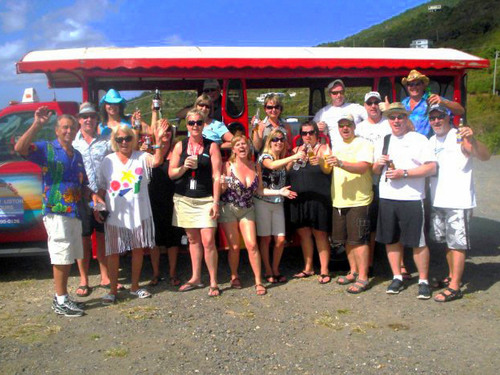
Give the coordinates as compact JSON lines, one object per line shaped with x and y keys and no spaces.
{"x":453,"y":187}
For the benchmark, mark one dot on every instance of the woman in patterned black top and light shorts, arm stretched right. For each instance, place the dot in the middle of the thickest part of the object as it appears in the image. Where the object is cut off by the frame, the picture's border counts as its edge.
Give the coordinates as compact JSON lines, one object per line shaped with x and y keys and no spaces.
{"x":269,"y":209}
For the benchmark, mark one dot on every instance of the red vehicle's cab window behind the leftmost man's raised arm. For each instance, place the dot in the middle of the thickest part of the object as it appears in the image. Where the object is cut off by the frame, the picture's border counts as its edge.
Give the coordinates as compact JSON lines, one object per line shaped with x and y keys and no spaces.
{"x":13,"y":125}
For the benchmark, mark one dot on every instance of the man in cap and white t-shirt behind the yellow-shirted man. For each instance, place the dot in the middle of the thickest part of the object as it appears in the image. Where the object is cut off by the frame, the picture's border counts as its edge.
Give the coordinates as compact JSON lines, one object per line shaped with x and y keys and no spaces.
{"x":327,"y":117}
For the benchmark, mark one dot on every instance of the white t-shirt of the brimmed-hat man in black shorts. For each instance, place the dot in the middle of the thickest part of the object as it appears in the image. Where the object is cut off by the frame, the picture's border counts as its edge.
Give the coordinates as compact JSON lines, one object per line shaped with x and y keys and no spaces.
{"x":407,"y":152}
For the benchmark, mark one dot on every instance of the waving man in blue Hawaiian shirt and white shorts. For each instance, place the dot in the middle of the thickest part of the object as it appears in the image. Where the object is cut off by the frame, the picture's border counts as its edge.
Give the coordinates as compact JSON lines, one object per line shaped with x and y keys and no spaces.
{"x":64,"y":184}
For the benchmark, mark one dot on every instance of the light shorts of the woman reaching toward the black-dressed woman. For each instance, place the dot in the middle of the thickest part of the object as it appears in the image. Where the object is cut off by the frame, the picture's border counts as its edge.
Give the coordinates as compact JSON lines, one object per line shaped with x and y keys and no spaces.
{"x":270,"y":218}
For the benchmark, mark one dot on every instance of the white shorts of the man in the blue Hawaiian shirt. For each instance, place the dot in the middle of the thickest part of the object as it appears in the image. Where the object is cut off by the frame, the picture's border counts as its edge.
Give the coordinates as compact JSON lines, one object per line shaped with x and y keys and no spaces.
{"x":64,"y":238}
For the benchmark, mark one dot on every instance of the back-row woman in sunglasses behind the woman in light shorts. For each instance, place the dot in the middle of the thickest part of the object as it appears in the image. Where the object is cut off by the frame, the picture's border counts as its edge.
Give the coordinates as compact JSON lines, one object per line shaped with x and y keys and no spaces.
{"x":272,"y":121}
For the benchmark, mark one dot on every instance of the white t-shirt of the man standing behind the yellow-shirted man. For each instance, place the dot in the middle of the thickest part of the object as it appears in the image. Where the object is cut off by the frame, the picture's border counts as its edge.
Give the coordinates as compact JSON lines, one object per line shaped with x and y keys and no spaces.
{"x":331,"y":115}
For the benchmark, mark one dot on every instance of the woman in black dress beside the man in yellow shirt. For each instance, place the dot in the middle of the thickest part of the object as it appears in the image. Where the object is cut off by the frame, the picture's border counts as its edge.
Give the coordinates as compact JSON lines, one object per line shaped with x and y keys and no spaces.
{"x":311,"y":212}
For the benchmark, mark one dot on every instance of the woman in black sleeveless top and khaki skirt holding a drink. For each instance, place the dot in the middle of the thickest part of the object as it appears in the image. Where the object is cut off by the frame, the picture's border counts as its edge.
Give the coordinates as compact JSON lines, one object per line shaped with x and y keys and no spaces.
{"x":195,"y":166}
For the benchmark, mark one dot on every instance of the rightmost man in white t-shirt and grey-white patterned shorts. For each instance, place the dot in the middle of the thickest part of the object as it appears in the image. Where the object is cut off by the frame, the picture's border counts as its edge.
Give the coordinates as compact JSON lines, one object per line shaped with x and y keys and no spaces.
{"x":452,"y":194}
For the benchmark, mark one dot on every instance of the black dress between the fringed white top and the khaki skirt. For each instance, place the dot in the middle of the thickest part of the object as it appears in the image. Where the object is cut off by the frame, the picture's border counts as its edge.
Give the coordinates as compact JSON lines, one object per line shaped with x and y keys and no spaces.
{"x":161,"y":192}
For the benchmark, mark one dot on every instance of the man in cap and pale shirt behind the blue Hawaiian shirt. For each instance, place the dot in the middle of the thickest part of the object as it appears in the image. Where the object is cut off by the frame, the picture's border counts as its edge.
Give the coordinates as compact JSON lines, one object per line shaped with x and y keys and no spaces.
{"x":94,"y":147}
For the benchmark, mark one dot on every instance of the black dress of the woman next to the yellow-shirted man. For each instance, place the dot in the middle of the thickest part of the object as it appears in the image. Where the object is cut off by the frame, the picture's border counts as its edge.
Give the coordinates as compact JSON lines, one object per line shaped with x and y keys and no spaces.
{"x":313,"y":205}
